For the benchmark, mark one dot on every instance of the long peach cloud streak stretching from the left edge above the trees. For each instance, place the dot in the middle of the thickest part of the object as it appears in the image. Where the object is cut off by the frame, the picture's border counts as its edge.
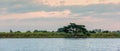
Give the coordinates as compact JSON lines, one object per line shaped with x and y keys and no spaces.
{"x":39,"y":14}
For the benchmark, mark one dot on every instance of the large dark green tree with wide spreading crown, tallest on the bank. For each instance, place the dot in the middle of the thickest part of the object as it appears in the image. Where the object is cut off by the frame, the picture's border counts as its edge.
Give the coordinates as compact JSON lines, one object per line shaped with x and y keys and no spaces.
{"x":74,"y":29}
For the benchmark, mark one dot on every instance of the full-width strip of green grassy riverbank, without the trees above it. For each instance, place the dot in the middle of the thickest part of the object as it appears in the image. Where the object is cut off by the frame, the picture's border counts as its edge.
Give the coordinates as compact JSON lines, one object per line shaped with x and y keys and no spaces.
{"x":32,"y":35}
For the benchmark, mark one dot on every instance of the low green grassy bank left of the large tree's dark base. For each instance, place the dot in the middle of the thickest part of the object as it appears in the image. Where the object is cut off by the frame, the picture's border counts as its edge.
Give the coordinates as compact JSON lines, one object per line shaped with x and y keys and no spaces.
{"x":32,"y":36}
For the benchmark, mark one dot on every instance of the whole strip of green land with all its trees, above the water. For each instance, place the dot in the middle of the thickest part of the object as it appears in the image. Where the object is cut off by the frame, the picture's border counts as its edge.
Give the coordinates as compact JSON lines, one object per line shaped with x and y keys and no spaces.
{"x":70,"y":31}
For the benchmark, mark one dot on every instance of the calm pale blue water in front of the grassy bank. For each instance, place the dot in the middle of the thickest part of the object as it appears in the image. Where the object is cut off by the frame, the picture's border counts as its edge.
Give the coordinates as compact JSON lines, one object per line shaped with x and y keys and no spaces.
{"x":59,"y":44}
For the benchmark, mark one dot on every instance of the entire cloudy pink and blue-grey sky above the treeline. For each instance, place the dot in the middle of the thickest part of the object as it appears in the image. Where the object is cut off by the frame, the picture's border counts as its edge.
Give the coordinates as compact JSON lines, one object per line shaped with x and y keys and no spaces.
{"x":50,"y":15}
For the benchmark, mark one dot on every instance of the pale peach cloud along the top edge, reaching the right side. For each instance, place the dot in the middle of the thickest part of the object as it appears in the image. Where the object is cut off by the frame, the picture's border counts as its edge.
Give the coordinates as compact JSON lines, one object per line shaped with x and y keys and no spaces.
{"x":74,"y":2}
